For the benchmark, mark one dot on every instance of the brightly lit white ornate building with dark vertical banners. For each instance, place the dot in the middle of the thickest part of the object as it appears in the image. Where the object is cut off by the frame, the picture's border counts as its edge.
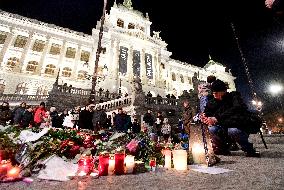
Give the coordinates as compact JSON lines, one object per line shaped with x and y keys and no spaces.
{"x":33,"y":53}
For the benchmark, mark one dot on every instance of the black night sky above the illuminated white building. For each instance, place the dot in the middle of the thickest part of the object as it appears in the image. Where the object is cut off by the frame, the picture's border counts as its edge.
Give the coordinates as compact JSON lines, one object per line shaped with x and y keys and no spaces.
{"x":192,"y":29}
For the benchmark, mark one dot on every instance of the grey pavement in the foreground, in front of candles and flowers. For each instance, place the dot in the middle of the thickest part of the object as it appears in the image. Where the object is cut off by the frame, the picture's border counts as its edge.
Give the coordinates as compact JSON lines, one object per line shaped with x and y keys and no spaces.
{"x":263,"y":173}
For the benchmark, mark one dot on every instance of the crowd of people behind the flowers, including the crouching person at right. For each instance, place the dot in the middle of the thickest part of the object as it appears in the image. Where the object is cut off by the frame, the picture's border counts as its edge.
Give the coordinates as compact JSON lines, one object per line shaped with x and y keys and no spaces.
{"x":225,"y":114}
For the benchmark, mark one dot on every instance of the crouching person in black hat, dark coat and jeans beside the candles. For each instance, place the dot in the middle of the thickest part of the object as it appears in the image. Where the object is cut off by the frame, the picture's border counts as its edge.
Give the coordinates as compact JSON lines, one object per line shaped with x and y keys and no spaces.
{"x":226,"y":116}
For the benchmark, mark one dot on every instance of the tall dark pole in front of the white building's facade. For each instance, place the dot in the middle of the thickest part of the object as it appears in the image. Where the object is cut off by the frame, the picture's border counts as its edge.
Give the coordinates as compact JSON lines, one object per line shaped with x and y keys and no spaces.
{"x":99,"y":48}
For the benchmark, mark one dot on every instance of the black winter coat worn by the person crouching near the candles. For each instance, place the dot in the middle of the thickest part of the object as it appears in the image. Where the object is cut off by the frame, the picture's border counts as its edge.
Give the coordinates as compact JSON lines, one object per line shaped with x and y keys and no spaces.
{"x":230,"y":112}
